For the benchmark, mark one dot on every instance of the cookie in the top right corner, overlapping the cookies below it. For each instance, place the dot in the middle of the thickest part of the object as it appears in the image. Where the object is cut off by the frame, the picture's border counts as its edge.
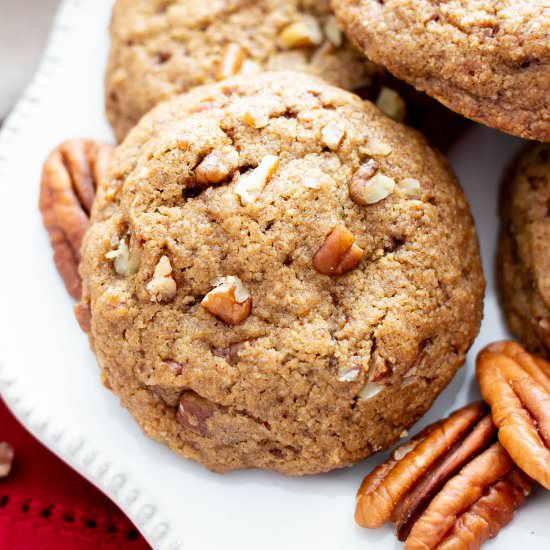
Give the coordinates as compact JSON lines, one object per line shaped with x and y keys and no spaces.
{"x":489,"y":61}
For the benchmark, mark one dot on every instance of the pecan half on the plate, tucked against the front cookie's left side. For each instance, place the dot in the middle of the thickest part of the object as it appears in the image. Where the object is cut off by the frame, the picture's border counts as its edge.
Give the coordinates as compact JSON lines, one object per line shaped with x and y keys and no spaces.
{"x":70,"y":176}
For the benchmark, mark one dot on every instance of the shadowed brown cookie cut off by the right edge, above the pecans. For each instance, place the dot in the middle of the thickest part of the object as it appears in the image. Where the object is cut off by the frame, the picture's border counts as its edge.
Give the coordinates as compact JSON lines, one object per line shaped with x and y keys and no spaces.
{"x":524,"y":257}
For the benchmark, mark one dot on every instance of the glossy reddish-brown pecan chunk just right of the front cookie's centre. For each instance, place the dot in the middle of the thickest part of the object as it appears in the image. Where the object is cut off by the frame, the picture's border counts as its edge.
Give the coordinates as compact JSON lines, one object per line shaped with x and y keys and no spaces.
{"x":339,"y":253}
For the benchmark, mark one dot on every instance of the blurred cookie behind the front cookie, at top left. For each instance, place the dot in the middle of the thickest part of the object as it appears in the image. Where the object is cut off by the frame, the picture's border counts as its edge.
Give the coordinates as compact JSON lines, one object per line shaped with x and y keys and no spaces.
{"x":163,"y":48}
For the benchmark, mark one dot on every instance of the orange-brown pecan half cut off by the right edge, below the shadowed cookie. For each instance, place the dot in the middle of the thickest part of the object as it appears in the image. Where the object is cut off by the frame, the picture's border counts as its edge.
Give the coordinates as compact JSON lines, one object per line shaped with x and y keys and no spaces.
{"x":516,"y":385}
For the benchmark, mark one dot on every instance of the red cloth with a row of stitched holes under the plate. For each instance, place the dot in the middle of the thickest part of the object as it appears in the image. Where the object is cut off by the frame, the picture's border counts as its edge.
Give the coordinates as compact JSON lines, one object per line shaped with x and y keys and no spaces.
{"x":45,"y":505}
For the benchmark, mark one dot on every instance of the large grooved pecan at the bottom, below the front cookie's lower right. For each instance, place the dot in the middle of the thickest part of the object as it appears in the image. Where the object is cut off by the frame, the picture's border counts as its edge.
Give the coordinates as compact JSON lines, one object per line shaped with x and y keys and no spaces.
{"x":450,"y":483}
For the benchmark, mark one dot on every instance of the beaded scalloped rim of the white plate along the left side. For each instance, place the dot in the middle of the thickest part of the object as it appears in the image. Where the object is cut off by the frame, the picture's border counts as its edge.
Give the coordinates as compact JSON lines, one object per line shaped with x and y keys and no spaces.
{"x":71,"y":447}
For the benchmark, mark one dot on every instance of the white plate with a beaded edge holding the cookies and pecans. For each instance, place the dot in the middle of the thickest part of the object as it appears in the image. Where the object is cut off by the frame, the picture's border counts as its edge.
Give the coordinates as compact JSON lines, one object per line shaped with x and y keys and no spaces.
{"x":50,"y":380}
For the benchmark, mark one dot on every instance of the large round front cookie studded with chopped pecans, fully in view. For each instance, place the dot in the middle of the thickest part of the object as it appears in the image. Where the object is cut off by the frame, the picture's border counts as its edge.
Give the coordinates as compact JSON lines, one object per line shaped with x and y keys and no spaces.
{"x":278,"y":275}
